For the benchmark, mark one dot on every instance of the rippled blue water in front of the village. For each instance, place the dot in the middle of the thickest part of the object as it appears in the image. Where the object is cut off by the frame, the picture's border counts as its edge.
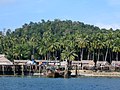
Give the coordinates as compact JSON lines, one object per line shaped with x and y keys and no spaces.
{"x":36,"y":83}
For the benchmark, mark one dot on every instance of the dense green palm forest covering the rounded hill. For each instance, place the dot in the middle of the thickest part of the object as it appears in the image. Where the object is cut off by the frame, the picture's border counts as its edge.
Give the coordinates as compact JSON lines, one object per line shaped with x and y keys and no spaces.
{"x":61,"y":40}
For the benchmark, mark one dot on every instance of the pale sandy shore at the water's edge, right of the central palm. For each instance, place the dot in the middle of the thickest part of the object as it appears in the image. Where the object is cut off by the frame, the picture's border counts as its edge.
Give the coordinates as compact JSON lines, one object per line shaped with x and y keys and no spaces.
{"x":96,"y":74}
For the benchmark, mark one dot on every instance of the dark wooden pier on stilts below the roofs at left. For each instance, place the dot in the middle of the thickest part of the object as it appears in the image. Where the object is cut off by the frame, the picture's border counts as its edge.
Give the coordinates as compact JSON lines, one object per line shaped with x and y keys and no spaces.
{"x":21,"y":69}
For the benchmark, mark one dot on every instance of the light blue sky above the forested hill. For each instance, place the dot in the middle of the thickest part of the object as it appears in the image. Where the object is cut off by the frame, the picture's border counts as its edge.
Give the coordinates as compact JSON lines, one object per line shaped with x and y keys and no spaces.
{"x":101,"y":13}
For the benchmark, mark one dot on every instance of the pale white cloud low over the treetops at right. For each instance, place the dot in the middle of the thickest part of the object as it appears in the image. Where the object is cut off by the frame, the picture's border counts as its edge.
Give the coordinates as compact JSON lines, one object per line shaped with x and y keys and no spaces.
{"x":108,"y":26}
